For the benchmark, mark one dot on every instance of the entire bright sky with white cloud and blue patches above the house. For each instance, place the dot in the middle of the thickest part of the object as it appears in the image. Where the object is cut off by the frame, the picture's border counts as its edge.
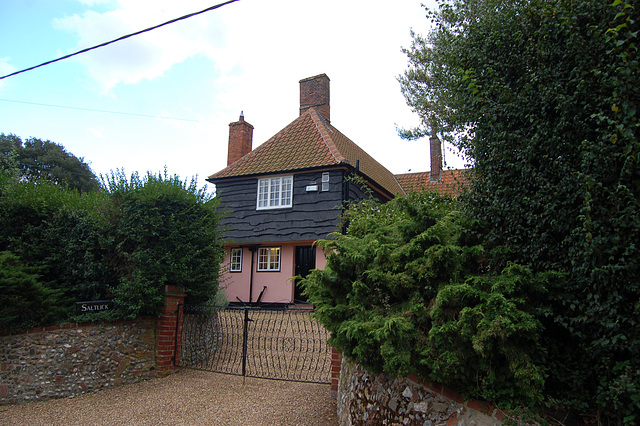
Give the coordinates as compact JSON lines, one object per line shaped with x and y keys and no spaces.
{"x":246,"y":56}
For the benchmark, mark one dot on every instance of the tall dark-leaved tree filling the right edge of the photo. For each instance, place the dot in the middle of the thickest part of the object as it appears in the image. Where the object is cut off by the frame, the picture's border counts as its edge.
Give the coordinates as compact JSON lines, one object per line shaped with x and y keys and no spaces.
{"x":543,"y":98}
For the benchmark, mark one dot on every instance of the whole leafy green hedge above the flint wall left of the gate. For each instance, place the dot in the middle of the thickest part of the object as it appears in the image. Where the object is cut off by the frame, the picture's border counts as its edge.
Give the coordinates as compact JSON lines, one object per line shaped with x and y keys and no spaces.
{"x":124,"y":242}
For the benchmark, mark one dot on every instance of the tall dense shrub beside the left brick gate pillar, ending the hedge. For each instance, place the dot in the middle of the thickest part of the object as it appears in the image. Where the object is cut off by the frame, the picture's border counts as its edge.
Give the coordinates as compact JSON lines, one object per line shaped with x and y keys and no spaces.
{"x":165,"y":233}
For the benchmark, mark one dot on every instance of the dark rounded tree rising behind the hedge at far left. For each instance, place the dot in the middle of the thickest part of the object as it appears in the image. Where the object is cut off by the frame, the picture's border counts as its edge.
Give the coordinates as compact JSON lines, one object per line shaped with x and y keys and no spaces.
{"x":38,"y":159}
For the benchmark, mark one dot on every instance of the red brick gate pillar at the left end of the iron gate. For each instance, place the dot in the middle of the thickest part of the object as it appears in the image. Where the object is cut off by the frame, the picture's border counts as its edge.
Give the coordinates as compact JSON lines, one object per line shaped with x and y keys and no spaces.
{"x":168,"y":326}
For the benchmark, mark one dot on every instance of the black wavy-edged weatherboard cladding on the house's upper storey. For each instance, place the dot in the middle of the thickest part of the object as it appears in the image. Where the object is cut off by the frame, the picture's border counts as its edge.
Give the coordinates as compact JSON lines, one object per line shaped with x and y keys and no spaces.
{"x":314,"y":214}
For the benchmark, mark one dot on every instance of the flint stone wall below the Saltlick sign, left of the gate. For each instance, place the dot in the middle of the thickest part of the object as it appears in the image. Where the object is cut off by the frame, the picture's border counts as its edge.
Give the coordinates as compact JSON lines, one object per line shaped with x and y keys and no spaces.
{"x":66,"y":362}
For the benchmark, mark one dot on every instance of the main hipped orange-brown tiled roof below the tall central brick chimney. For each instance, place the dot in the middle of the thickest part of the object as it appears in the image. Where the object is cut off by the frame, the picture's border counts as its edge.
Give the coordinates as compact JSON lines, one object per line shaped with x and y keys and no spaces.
{"x":307,"y":142}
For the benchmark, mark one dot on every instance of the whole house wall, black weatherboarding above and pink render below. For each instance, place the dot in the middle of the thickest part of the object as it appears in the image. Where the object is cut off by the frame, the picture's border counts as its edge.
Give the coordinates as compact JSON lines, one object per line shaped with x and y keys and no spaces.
{"x":314,"y":215}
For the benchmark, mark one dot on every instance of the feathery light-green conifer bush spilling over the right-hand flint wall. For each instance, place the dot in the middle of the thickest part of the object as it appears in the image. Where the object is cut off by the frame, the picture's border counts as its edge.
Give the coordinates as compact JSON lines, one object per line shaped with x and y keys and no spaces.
{"x":406,"y":290}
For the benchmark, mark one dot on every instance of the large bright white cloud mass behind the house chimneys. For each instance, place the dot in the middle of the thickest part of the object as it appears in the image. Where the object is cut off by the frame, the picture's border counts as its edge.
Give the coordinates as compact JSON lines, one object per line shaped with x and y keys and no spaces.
{"x":255,"y":52}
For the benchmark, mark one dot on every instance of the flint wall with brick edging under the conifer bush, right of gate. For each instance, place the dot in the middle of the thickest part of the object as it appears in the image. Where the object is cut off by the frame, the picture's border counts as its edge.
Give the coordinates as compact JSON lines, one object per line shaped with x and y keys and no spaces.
{"x":368,"y":399}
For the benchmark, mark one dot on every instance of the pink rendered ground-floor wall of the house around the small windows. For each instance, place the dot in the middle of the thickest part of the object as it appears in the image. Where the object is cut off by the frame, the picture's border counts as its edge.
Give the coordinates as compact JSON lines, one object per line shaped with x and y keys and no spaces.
{"x":279,"y":284}
